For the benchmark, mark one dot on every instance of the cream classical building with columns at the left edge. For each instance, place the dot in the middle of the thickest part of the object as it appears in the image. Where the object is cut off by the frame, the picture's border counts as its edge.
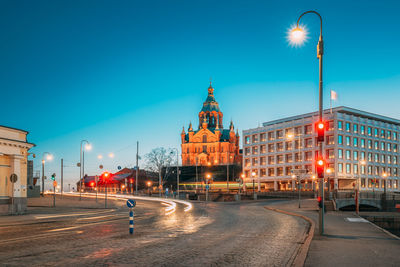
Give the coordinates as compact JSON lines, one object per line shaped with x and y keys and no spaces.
{"x":14,"y":149}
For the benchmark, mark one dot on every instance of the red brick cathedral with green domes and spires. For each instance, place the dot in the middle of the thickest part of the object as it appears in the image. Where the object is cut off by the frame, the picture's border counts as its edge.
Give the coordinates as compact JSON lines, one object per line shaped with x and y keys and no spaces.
{"x":210,"y":144}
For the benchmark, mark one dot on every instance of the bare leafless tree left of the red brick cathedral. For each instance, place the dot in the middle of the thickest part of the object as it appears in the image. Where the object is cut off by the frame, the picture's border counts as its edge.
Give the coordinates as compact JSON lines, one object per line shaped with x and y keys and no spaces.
{"x":158,"y":158}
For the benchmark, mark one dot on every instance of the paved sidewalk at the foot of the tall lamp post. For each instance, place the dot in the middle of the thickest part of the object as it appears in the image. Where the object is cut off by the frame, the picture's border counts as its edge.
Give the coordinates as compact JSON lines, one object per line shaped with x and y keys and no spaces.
{"x":345,"y":242}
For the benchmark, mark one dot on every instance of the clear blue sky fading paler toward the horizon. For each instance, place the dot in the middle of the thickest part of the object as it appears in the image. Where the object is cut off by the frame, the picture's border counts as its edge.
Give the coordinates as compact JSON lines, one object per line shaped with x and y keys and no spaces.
{"x":114,"y":72}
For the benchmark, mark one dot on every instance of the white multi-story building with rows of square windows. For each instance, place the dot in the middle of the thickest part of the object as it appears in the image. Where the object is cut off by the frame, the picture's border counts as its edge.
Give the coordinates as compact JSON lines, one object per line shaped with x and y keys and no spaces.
{"x":361,"y":149}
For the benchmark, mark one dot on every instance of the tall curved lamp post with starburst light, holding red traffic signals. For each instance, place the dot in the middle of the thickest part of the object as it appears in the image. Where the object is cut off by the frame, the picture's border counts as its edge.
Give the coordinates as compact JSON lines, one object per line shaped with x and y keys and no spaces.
{"x":297,"y":37}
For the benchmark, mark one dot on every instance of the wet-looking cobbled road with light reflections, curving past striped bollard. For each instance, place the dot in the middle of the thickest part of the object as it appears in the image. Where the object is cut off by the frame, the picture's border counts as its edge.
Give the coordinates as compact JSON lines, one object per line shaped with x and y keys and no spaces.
{"x":212,"y":234}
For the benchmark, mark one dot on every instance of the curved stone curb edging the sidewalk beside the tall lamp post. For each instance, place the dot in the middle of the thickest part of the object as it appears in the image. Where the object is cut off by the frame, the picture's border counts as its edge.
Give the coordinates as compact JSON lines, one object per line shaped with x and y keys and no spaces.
{"x":301,"y":255}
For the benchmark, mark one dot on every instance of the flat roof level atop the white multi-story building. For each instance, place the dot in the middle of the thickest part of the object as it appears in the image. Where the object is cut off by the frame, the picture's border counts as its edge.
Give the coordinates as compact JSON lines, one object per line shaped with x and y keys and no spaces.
{"x":341,"y":109}
